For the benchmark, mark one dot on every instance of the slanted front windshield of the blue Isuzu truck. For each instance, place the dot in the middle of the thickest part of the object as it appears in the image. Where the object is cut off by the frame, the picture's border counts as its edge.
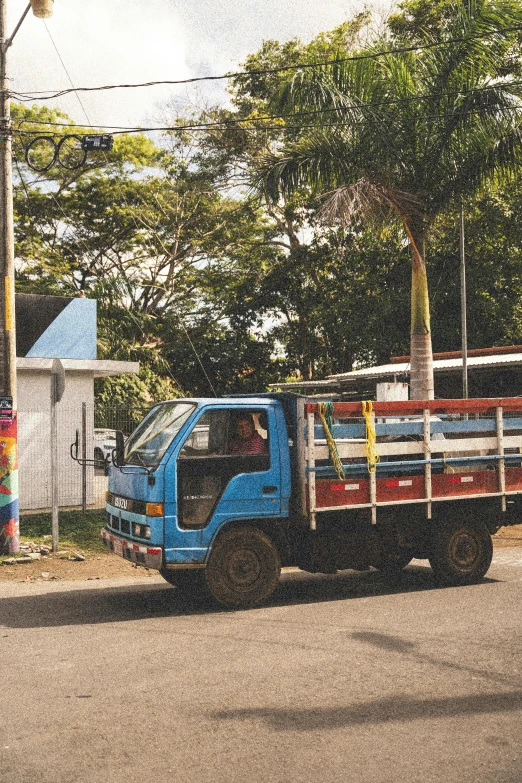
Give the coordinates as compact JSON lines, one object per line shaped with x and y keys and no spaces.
{"x":150,"y":440}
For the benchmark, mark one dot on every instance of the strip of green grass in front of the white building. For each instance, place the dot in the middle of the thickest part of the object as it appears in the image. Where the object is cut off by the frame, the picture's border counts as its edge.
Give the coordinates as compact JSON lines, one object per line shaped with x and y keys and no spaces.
{"x":75,"y":530}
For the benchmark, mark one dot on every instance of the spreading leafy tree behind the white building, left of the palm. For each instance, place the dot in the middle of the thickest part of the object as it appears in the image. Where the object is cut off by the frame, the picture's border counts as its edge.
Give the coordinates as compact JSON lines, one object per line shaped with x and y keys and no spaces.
{"x":161,"y":247}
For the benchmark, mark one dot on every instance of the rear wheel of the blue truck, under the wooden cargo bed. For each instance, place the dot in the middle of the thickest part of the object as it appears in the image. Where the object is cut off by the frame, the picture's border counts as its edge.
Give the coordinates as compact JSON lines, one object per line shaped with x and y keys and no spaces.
{"x":461,"y":552}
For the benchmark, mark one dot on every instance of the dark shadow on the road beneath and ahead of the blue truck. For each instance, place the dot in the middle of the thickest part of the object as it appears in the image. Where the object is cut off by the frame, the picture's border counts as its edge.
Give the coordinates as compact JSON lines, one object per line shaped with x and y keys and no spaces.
{"x":146,"y":601}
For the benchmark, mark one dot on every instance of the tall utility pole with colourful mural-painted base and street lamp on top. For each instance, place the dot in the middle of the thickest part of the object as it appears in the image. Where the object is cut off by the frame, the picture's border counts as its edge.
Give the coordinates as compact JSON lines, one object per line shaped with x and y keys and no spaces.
{"x":9,"y":506}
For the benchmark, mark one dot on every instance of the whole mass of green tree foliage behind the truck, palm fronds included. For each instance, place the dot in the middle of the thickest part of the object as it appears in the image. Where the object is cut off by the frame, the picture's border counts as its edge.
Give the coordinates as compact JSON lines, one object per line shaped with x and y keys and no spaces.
{"x":216,"y":289}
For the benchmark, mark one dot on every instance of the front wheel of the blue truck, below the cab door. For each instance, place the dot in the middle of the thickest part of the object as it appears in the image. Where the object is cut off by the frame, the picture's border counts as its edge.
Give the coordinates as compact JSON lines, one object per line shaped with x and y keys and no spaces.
{"x":243,"y":569}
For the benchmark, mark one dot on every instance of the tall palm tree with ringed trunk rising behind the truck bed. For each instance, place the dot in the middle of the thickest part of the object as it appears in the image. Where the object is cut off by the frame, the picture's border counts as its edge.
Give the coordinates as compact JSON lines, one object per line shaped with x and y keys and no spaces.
{"x":408,"y":132}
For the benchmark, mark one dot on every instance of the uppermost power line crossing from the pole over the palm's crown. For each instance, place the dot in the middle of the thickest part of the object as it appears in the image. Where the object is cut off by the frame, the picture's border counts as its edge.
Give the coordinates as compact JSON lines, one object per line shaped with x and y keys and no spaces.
{"x":45,"y":95}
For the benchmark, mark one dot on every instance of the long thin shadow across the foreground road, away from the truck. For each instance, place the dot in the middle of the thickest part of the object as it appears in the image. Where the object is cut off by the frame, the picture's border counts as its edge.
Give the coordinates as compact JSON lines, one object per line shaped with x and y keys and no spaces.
{"x":400,"y":709}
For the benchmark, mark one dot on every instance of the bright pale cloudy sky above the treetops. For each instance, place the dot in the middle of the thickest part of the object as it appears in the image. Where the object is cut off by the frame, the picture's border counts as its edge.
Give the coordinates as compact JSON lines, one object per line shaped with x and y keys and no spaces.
{"x":88,"y":43}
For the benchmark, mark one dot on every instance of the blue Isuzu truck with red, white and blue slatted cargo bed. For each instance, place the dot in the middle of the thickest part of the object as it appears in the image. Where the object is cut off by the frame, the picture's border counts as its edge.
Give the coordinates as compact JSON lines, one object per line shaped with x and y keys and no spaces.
{"x":219,"y":494}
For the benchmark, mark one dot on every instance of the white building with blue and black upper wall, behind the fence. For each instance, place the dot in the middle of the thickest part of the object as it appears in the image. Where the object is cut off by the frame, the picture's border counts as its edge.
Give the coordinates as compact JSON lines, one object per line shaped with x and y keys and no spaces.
{"x":64,"y":328}
